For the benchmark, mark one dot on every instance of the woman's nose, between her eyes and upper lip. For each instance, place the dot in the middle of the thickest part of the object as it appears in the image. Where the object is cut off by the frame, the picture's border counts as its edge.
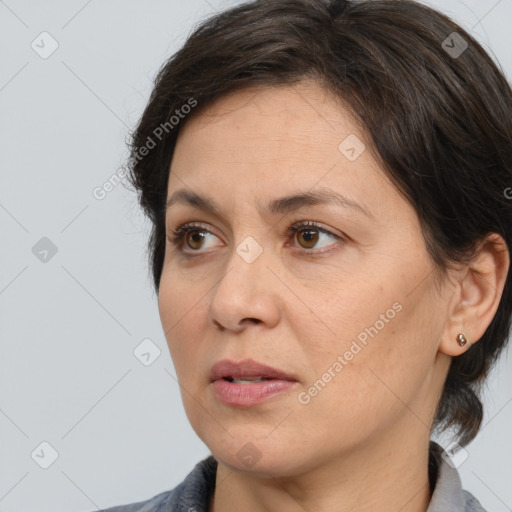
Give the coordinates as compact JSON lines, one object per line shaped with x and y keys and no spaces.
{"x":246,"y":294}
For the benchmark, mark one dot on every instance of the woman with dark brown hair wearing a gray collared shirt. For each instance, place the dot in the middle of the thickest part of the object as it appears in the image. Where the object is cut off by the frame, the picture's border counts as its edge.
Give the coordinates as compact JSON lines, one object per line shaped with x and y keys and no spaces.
{"x":329,"y":190}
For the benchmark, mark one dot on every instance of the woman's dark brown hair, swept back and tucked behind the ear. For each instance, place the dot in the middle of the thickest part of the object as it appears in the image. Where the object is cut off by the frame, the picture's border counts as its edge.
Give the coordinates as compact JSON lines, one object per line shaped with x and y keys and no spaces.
{"x":438,"y":114}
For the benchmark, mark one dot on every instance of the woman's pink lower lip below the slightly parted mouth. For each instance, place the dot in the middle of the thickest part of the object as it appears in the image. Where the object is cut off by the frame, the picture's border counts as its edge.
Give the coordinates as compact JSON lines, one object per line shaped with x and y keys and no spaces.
{"x":246,"y":395}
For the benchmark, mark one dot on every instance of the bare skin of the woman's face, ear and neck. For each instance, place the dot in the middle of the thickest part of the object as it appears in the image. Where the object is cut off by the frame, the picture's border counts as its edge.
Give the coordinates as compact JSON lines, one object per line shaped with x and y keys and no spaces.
{"x":362,"y":442}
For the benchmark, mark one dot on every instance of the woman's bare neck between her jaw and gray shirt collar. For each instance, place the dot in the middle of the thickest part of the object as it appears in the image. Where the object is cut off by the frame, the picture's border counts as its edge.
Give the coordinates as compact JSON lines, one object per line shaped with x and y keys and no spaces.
{"x":366,"y":478}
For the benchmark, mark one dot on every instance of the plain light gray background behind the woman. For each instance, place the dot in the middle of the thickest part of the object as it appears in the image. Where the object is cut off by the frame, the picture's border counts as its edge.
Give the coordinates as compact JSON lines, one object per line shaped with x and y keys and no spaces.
{"x":68,"y":327}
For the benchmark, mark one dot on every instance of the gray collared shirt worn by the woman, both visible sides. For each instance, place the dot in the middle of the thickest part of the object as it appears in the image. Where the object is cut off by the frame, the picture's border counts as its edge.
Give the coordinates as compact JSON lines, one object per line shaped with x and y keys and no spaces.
{"x":195,"y":492}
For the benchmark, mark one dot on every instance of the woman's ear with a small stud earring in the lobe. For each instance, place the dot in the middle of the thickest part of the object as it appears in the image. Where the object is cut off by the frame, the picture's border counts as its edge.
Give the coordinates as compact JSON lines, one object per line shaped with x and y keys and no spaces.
{"x":476,"y":295}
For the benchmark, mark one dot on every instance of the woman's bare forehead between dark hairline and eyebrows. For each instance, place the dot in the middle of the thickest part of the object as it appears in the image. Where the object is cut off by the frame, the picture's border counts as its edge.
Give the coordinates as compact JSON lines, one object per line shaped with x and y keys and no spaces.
{"x":271,"y":141}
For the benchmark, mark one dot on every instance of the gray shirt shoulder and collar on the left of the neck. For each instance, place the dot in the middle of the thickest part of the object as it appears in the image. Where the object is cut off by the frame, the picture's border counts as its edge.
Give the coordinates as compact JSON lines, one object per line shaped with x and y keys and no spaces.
{"x":193,"y":493}
